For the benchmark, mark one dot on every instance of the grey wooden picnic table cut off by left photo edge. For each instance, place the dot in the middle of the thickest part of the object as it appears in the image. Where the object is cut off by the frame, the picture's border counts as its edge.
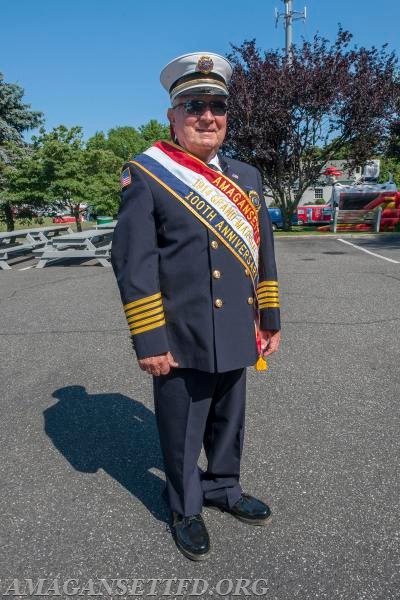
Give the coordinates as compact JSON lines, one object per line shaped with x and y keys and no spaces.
{"x":21,"y":241}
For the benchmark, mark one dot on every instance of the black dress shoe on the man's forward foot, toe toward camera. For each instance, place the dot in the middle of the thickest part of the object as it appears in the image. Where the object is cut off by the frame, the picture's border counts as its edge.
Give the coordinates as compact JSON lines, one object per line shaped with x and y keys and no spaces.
{"x":191,"y":536}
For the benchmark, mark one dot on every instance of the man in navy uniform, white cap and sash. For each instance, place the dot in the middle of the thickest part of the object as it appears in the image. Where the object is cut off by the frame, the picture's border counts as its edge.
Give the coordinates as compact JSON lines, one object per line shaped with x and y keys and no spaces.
{"x":194,"y":259}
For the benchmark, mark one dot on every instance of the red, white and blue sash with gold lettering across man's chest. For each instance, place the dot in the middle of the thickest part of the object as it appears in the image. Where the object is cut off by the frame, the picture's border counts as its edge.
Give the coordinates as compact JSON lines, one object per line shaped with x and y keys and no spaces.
{"x":219,"y":203}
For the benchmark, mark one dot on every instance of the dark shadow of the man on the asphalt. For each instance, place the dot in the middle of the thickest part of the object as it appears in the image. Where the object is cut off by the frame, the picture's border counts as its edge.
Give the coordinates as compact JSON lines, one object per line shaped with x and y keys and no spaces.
{"x":110,"y":432}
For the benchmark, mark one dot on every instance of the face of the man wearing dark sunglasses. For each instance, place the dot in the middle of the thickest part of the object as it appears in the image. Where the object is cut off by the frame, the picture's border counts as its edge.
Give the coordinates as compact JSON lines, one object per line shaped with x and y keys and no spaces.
{"x":203,"y":134}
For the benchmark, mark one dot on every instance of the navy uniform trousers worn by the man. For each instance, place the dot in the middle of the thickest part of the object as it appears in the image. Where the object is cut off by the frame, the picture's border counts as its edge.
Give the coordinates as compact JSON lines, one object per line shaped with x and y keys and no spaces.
{"x":194,"y":409}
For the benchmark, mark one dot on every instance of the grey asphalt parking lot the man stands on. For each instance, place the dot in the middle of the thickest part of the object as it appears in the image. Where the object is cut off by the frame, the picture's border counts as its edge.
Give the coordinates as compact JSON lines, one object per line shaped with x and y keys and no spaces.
{"x":81,"y":472}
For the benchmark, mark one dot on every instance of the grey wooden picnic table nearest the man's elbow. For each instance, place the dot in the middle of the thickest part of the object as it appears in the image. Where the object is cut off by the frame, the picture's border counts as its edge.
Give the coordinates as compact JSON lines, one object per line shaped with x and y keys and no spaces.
{"x":91,"y":243}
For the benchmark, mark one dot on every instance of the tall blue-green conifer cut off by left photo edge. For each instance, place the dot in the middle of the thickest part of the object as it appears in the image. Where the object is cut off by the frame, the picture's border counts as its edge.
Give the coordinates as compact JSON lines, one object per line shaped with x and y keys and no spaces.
{"x":16,"y":117}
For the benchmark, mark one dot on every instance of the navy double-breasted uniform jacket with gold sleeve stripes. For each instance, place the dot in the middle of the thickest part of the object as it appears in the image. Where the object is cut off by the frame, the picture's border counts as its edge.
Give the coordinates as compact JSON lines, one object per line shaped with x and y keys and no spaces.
{"x":183,"y":291}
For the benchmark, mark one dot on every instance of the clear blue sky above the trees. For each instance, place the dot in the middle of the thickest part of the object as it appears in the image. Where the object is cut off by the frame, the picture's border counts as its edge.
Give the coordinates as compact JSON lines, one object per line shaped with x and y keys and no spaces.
{"x":96,"y":63}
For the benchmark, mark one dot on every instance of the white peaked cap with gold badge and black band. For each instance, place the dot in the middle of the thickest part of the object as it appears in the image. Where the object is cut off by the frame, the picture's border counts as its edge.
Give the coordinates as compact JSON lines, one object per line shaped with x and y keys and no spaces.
{"x":197,"y":73}
